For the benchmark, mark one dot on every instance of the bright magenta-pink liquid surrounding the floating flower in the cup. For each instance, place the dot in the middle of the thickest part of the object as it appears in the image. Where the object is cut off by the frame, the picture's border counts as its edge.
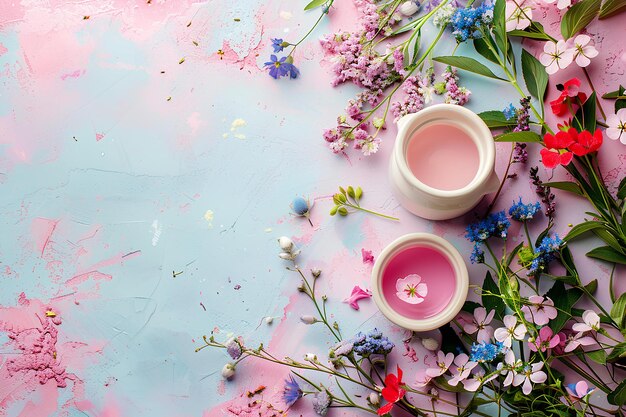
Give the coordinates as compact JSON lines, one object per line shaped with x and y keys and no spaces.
{"x":434,"y":269}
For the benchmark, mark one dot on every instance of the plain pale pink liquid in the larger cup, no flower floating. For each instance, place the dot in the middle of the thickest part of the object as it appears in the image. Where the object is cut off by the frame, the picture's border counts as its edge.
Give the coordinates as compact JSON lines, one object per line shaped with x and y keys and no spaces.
{"x":443,"y":157}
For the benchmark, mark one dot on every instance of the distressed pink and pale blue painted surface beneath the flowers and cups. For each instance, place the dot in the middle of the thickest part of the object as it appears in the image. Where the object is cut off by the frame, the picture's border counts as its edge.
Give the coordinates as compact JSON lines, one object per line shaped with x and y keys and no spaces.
{"x":106,"y":188}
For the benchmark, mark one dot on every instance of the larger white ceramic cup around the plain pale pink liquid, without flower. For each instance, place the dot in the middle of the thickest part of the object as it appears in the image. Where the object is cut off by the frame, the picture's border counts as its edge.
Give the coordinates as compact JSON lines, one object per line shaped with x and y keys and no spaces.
{"x":431,"y":203}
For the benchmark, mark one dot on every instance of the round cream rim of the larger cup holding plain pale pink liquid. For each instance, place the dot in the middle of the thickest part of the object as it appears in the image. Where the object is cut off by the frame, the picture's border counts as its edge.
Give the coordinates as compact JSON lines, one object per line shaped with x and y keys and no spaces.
{"x":476,"y":129}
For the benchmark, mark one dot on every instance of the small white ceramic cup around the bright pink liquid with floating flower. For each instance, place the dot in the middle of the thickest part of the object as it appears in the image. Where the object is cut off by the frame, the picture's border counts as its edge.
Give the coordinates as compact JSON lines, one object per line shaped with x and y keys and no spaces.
{"x":460,"y":271}
